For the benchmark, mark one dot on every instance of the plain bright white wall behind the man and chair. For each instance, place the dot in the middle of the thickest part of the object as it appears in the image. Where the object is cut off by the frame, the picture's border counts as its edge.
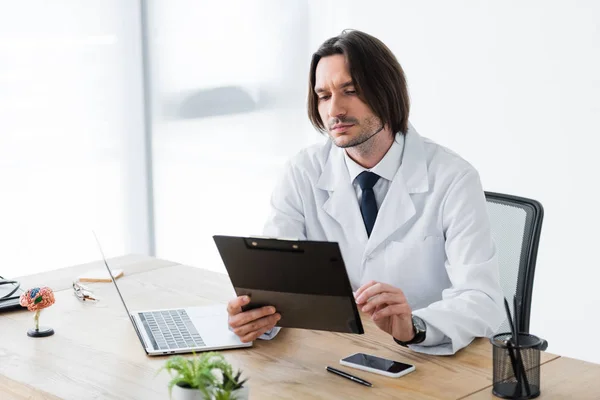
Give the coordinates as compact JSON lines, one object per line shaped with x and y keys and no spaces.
{"x":514,"y":87}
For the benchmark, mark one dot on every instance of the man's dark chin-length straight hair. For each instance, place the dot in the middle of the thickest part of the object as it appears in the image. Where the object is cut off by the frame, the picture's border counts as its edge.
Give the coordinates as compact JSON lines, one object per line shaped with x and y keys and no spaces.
{"x":376,"y":74}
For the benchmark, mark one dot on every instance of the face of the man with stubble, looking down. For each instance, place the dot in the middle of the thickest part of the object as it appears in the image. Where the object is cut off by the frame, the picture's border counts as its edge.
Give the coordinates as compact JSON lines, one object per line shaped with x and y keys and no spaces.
{"x":349,"y":121}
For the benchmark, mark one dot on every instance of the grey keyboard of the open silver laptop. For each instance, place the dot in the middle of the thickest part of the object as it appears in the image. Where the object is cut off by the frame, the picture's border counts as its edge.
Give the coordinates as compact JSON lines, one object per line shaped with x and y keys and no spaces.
{"x":171,"y":329}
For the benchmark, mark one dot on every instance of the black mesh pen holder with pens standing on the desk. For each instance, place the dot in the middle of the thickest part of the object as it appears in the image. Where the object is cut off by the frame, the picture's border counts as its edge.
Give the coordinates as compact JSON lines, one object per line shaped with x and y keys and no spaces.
{"x":516,"y":361}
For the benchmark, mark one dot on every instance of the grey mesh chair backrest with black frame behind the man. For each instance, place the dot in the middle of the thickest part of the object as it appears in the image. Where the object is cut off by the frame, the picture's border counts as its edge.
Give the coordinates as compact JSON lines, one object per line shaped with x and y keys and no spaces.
{"x":516,"y":224}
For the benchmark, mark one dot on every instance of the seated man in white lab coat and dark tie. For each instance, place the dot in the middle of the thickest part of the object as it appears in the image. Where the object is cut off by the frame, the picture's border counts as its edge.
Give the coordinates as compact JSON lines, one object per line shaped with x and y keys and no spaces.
{"x":409,"y":215}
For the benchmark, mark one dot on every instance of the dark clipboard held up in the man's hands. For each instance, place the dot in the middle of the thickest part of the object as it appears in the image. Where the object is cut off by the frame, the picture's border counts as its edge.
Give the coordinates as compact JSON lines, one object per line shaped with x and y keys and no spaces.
{"x":306,"y":281}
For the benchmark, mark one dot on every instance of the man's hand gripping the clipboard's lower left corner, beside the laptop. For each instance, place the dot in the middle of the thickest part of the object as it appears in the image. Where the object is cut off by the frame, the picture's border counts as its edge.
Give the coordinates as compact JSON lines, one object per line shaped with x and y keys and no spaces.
{"x":249,"y":325}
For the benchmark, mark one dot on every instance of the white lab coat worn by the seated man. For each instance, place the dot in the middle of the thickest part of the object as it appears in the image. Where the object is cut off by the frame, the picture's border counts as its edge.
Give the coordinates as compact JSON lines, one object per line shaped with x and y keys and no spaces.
{"x":431,"y":238}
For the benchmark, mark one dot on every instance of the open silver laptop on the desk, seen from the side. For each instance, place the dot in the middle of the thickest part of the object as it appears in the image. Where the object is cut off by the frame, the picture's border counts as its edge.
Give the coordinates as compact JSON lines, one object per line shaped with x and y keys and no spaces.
{"x":180,"y":330}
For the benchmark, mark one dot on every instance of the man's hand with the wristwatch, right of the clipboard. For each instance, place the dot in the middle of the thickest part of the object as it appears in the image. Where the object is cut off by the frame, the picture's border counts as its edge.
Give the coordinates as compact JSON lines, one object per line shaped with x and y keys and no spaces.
{"x":388,"y":308}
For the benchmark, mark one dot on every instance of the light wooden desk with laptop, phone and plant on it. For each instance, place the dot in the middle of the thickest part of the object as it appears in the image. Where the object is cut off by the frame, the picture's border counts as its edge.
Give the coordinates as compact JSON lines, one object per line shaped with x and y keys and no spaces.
{"x":95,"y":352}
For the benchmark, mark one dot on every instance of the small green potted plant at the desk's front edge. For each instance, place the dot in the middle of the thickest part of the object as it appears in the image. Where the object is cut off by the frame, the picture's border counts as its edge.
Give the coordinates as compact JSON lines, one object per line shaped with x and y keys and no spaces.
{"x":207,"y":376}
